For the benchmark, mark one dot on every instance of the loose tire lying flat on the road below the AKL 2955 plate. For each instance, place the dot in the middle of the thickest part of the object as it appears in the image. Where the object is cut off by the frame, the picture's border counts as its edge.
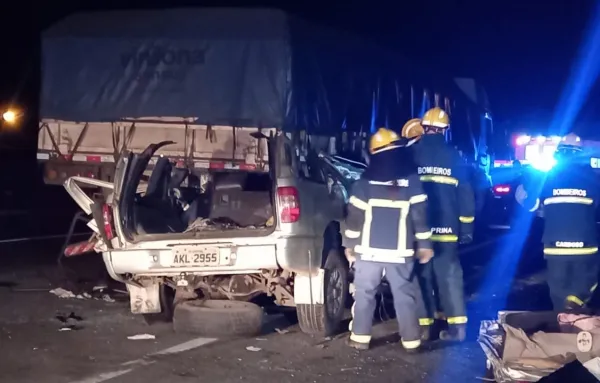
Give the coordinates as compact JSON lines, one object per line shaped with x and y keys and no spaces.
{"x":218,"y":318}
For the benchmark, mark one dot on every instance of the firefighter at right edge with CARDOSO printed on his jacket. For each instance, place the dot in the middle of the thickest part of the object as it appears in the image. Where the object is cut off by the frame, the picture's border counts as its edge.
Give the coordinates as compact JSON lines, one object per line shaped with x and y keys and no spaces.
{"x":568,"y":196}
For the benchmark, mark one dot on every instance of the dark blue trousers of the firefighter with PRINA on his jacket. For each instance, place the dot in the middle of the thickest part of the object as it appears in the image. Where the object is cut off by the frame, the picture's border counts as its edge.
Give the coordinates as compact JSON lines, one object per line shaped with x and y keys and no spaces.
{"x":441,"y":281}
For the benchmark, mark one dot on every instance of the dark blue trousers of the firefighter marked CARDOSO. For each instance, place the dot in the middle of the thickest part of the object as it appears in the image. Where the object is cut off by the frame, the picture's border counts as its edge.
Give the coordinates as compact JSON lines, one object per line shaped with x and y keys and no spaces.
{"x":571,"y":279}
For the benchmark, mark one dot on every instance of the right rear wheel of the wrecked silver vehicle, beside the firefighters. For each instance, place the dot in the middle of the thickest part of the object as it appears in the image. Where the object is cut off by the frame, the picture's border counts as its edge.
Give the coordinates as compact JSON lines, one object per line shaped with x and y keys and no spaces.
{"x":325,"y":319}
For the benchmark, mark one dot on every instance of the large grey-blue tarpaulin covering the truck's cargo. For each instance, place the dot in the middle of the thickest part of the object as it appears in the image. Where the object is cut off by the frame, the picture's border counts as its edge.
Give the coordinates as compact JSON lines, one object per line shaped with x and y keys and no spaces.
{"x":234,"y":67}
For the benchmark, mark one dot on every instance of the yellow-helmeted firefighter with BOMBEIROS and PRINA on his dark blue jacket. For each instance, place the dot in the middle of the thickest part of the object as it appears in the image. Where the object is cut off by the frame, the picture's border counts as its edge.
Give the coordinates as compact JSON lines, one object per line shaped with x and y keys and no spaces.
{"x":445,"y":178}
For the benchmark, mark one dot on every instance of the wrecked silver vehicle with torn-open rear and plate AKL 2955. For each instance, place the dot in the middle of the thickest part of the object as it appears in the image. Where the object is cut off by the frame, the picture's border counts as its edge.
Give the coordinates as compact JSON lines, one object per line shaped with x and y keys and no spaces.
{"x":226,"y":235}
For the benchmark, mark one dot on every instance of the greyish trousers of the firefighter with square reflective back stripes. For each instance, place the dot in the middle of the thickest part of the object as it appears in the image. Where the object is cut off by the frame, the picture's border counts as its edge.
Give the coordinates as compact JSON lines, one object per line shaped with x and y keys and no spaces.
{"x":406,"y":295}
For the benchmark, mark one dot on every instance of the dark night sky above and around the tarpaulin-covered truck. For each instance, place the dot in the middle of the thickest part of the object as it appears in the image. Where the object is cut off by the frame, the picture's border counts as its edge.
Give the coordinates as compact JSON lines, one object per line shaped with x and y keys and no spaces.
{"x":522,"y":51}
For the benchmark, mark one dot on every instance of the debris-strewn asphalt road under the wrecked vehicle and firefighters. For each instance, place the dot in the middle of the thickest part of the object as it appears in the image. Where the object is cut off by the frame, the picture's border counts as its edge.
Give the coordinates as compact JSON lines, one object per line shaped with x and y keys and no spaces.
{"x":36,"y":348}
